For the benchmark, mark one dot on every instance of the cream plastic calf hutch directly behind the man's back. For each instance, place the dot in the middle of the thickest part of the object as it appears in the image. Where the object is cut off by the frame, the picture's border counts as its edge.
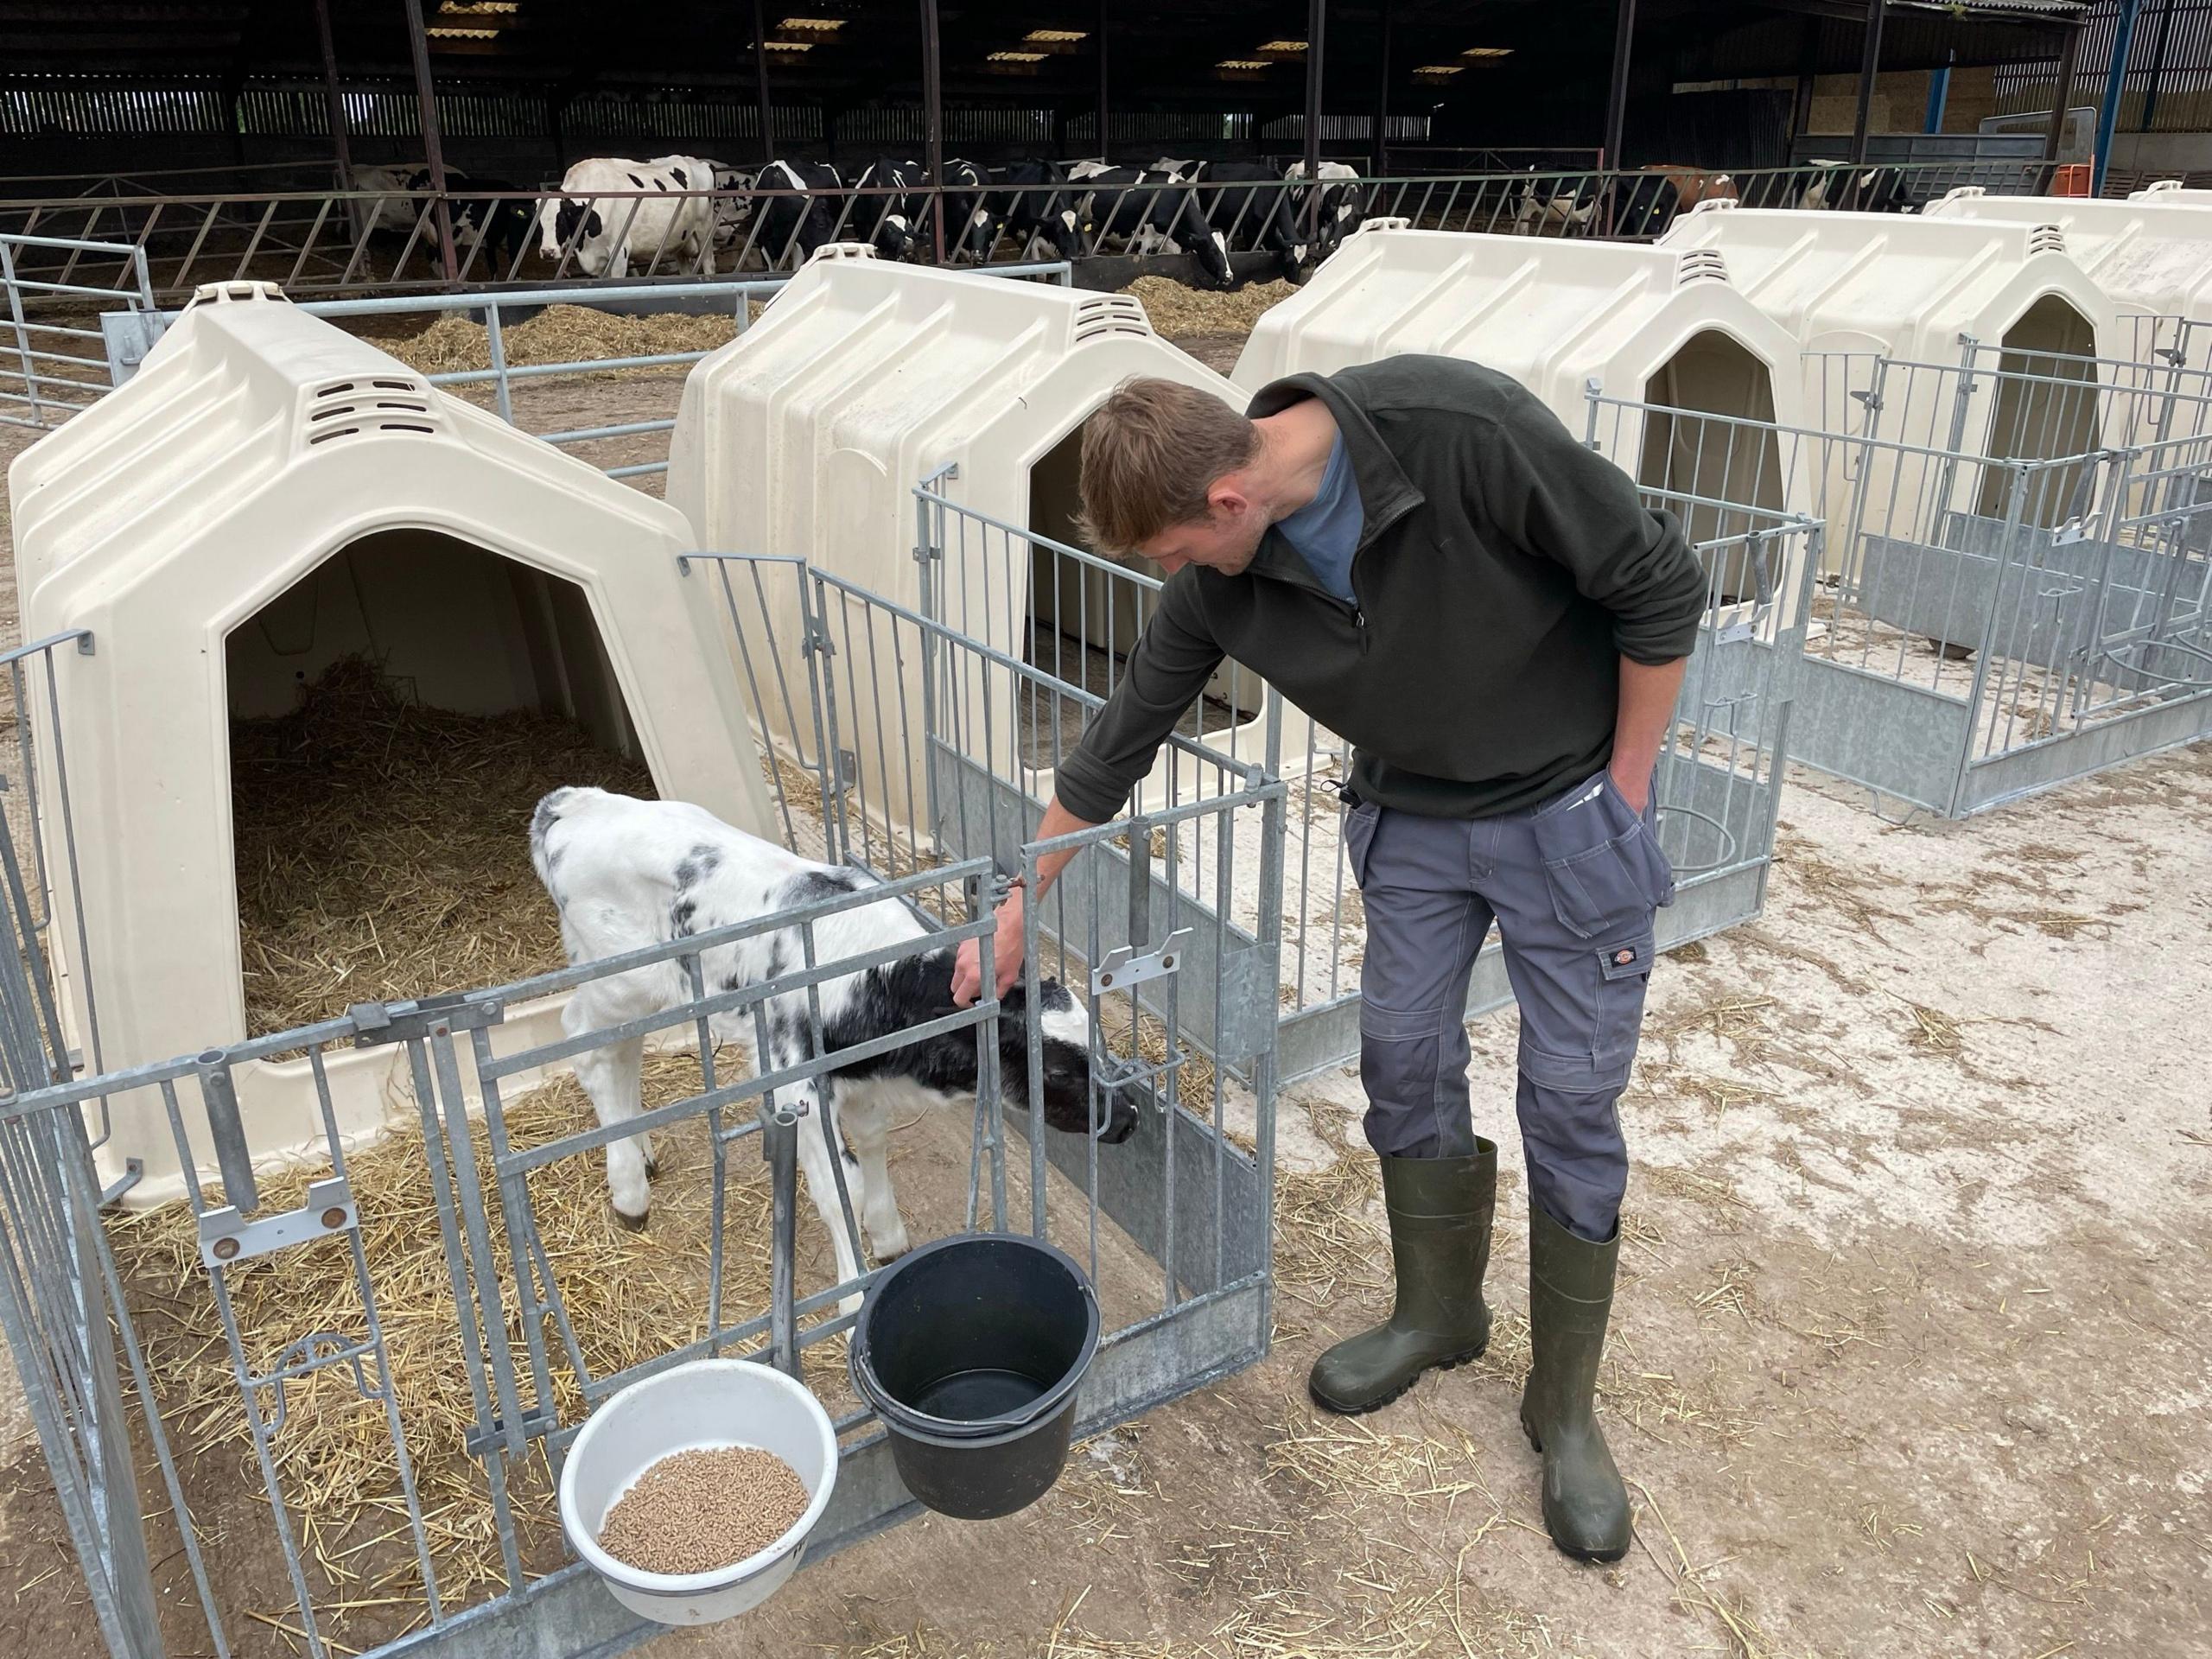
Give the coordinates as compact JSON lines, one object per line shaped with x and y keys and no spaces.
{"x":1563,"y":317}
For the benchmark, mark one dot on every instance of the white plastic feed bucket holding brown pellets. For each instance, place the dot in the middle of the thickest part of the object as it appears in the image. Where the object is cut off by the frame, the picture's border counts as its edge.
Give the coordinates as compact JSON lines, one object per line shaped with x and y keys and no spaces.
{"x":702,"y":1406}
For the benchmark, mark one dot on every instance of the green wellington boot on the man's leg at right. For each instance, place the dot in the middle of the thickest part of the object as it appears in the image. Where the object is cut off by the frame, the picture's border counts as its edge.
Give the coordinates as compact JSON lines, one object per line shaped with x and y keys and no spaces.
{"x":1569,"y":1300}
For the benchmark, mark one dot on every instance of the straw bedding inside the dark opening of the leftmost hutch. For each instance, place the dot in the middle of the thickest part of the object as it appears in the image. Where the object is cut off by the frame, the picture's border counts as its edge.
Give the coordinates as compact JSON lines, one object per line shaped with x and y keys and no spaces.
{"x":384,"y":846}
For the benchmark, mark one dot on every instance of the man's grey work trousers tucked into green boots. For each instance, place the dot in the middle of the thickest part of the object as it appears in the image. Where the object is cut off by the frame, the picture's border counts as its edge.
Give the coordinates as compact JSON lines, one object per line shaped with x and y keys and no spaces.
{"x":1572,"y":886}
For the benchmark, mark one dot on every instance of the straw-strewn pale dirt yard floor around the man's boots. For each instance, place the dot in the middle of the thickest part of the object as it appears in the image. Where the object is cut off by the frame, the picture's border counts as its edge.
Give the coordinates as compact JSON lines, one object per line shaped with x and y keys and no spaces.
{"x":1910,"y":1348}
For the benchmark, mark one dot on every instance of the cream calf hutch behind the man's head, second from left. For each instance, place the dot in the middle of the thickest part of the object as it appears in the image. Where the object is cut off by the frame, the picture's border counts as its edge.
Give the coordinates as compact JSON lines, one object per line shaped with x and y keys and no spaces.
{"x":864,"y":379}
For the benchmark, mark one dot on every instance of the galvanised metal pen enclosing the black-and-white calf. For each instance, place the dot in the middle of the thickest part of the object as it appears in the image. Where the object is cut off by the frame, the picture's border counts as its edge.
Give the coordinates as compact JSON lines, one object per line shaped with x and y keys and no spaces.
{"x":364,"y":1373}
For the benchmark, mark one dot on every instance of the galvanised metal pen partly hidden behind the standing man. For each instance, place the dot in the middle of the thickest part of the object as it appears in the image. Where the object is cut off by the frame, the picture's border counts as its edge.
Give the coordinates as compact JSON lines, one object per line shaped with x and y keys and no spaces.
{"x":1072,"y":618}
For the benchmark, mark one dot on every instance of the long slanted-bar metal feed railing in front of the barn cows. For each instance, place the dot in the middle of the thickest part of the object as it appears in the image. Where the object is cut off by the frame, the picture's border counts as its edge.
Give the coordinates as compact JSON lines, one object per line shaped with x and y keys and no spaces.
{"x":390,"y":240}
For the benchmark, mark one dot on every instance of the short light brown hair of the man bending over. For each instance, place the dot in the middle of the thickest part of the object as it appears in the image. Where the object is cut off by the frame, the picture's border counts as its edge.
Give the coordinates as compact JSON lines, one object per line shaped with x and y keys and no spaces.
{"x":1151,"y":452}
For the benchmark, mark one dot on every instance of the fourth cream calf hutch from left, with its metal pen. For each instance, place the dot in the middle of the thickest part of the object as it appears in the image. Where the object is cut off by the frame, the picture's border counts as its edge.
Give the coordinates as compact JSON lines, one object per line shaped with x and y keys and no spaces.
{"x":1987,"y":632}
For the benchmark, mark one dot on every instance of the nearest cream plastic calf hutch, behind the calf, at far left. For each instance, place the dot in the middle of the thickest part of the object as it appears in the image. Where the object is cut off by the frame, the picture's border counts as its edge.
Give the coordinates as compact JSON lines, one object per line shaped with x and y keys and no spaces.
{"x":264,"y":499}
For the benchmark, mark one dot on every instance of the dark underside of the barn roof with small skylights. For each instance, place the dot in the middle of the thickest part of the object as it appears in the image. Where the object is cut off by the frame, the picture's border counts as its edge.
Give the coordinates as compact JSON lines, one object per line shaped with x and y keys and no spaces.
{"x":1227,"y":54}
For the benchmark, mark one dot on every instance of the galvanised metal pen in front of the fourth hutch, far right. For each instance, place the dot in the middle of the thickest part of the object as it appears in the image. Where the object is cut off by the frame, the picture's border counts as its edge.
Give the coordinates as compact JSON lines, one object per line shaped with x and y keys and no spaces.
{"x":2018,"y":572}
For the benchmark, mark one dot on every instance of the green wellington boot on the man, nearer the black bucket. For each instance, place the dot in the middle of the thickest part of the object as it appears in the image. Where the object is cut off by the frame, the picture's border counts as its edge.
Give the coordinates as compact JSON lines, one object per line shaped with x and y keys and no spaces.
{"x":1441,"y":1244}
